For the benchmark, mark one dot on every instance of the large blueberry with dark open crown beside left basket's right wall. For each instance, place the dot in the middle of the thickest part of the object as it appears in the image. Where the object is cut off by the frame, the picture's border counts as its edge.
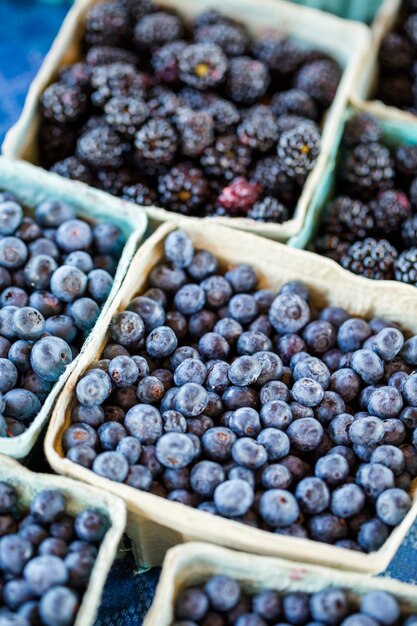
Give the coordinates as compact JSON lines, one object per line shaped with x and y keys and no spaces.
{"x":49,"y":357}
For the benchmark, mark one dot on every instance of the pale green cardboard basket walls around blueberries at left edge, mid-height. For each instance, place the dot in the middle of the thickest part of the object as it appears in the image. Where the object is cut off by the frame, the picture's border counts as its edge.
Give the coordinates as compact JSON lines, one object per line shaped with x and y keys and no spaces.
{"x":32,"y":185}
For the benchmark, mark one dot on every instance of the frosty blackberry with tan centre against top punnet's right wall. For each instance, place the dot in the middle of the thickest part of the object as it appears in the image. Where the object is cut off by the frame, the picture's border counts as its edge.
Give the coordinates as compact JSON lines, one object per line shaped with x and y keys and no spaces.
{"x":298,"y":150}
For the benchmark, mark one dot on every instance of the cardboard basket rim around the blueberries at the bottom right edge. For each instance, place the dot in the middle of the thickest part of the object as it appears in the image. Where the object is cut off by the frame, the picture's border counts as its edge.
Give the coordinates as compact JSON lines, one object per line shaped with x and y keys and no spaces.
{"x":195,"y":563}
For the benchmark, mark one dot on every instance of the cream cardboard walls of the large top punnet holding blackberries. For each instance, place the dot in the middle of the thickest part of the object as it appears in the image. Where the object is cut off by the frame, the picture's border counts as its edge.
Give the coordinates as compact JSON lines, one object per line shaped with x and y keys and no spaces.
{"x":347,"y":42}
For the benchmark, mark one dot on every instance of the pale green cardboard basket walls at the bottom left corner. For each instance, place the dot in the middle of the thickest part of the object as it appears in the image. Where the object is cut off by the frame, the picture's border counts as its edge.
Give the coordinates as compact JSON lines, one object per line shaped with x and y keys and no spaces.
{"x":78,"y":497}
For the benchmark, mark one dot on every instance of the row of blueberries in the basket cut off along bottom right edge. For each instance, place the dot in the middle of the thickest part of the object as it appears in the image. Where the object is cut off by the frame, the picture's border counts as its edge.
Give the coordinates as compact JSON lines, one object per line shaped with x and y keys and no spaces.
{"x":222,"y":602}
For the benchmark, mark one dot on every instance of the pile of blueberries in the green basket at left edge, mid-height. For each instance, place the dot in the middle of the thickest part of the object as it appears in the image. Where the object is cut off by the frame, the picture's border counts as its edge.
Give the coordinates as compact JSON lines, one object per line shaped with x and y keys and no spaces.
{"x":56,"y":271}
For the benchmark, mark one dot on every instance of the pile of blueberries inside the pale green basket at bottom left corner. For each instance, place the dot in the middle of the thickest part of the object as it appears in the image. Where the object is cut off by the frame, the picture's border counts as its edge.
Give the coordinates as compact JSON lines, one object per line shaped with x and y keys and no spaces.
{"x":46,"y":557}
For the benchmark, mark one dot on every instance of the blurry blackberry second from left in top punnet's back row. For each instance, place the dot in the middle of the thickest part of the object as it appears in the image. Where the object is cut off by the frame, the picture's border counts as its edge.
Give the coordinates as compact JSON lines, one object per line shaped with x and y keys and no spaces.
{"x":157,"y":29}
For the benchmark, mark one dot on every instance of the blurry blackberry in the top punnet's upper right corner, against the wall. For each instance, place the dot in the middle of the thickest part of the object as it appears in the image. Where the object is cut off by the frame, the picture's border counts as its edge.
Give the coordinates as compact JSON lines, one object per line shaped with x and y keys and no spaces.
{"x":319,"y":80}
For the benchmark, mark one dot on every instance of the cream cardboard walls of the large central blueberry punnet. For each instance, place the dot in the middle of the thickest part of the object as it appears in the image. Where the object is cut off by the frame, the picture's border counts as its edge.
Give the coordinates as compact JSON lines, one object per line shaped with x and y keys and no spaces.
{"x":156,"y":523}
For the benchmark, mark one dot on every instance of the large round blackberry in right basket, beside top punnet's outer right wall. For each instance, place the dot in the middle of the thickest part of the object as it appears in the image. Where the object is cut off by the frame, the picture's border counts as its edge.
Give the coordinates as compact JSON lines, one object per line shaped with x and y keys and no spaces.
{"x":369,"y":168}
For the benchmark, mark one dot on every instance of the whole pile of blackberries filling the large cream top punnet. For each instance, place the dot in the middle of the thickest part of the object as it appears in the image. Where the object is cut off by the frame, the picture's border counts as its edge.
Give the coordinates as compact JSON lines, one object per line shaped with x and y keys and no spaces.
{"x":198,"y":117}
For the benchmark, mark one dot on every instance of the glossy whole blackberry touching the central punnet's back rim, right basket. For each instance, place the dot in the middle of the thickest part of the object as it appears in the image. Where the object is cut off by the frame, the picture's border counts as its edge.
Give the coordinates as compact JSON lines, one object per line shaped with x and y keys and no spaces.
{"x":371,"y":258}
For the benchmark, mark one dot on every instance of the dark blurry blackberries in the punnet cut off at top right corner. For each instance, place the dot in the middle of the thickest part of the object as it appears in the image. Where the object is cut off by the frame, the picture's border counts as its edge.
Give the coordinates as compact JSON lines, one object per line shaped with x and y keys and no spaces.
{"x":397,"y":85}
